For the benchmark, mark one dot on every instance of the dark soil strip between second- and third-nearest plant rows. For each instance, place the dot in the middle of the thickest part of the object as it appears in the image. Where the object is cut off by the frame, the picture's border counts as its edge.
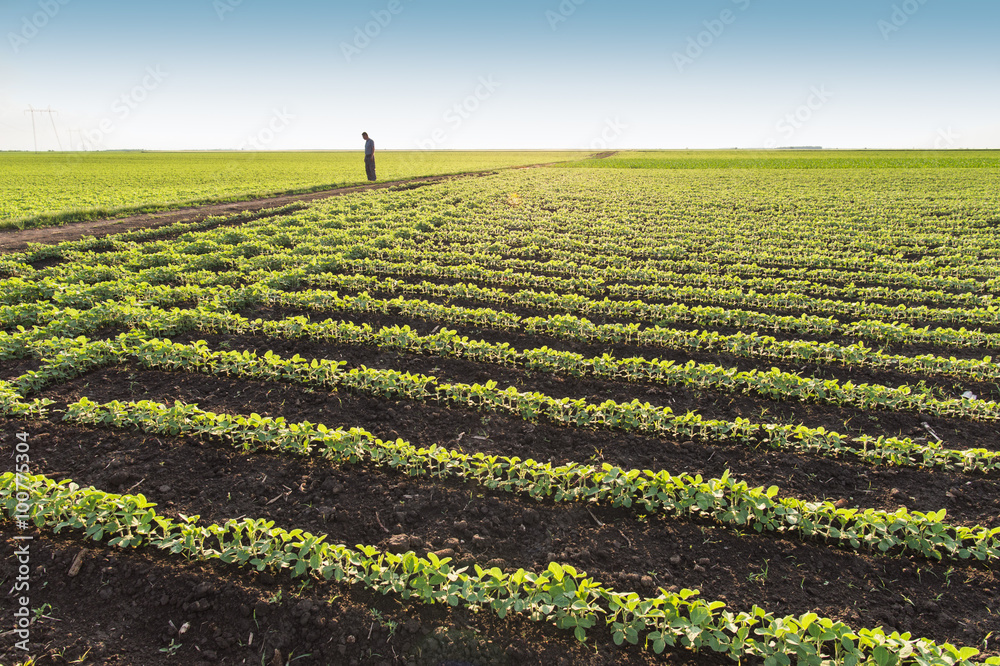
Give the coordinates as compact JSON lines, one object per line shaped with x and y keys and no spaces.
{"x":969,"y":499}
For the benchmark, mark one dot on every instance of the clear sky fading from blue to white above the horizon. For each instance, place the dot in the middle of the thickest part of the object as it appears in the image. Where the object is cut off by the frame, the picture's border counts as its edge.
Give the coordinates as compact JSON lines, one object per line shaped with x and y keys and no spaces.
{"x":190,"y":74}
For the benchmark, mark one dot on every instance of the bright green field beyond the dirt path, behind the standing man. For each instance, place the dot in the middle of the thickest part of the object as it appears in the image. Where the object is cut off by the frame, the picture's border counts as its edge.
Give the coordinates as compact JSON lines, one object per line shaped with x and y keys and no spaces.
{"x":39,"y":189}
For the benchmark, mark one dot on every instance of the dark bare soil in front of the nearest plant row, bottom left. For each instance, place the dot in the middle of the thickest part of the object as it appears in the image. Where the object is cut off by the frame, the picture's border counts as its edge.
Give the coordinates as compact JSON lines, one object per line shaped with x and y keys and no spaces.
{"x":126,"y":607}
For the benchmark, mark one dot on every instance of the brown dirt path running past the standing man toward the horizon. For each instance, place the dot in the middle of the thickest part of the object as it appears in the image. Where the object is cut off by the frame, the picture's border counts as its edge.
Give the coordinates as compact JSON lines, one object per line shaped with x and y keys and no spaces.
{"x":15,"y":241}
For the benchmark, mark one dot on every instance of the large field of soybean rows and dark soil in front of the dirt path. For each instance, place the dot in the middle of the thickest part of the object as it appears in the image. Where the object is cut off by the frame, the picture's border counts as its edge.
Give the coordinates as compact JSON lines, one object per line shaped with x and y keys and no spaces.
{"x":806,"y":468}
